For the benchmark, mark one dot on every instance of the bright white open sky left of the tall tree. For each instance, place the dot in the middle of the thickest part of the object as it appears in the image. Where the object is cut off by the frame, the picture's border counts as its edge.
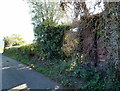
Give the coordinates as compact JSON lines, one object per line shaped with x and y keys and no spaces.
{"x":15,"y":19}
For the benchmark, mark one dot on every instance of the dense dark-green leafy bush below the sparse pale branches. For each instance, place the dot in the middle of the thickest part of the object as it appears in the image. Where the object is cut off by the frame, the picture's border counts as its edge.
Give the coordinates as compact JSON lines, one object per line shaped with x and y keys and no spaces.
{"x":50,"y":37}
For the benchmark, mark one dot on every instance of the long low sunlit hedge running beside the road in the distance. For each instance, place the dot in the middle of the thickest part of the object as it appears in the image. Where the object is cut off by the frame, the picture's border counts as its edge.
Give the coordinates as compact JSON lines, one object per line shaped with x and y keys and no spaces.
{"x":29,"y":50}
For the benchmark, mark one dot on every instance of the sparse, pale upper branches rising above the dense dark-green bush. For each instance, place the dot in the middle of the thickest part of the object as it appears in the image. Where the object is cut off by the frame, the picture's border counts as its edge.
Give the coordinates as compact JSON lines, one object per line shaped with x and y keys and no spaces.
{"x":42,"y":10}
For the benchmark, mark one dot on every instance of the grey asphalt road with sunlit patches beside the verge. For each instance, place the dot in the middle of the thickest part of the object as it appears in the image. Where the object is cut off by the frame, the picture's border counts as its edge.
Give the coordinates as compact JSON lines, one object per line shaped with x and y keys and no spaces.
{"x":15,"y":74}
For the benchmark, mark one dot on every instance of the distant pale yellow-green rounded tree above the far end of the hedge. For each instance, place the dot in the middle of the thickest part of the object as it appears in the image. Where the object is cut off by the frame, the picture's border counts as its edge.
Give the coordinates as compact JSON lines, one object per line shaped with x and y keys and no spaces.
{"x":13,"y":40}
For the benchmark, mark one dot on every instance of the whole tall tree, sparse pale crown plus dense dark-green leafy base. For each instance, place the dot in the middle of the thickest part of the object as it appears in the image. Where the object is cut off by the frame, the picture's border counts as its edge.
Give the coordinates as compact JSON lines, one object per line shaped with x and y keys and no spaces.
{"x":48,"y":33}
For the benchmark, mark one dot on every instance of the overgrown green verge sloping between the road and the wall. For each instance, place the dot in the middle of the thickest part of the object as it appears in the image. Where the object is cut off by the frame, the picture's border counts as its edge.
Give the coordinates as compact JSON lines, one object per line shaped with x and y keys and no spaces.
{"x":70,"y":75}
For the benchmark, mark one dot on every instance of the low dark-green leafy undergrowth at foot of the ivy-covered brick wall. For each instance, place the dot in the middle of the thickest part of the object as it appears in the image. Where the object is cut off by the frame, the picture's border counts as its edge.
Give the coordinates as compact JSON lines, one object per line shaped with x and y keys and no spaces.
{"x":94,"y":79}
